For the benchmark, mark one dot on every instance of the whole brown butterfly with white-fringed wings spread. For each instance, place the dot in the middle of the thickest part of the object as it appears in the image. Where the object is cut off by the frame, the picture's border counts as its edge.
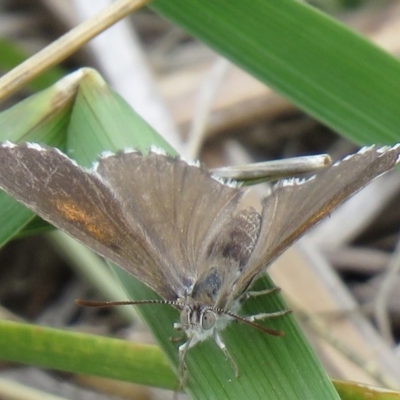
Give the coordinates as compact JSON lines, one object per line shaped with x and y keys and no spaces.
{"x":178,"y":228}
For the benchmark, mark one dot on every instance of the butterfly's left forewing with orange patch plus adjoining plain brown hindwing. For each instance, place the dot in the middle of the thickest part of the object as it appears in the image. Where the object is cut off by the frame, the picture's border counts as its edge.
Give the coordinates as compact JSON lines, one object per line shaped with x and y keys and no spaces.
{"x":84,"y":204}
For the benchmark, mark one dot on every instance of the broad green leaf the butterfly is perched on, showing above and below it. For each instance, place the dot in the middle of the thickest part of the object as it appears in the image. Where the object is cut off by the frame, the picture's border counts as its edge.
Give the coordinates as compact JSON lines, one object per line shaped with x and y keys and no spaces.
{"x":283,"y":368}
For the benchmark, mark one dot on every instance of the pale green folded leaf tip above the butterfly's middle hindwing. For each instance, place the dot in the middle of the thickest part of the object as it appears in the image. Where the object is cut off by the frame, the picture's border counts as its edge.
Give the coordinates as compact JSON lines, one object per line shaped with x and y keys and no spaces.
{"x":102,"y":120}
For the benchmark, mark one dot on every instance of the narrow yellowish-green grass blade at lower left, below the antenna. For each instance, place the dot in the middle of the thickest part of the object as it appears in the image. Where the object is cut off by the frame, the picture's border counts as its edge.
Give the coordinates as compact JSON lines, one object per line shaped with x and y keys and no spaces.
{"x":85,"y":354}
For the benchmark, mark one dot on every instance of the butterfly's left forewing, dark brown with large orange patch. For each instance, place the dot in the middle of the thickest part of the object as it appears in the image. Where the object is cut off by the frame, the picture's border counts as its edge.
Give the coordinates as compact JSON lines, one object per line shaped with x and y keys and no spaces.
{"x":80,"y":203}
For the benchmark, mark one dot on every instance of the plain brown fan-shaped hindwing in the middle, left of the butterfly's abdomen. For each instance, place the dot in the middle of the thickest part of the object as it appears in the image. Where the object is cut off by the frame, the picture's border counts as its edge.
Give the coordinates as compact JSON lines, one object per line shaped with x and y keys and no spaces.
{"x":179,"y":208}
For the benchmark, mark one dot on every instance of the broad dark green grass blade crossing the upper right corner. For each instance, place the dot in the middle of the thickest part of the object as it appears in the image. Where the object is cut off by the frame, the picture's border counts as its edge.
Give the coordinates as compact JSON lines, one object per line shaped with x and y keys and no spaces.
{"x":324,"y":68}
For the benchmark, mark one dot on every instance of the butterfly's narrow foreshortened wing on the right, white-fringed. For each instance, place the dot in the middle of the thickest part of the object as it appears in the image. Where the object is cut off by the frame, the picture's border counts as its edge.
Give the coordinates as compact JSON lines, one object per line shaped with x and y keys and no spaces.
{"x":295,"y":206}
